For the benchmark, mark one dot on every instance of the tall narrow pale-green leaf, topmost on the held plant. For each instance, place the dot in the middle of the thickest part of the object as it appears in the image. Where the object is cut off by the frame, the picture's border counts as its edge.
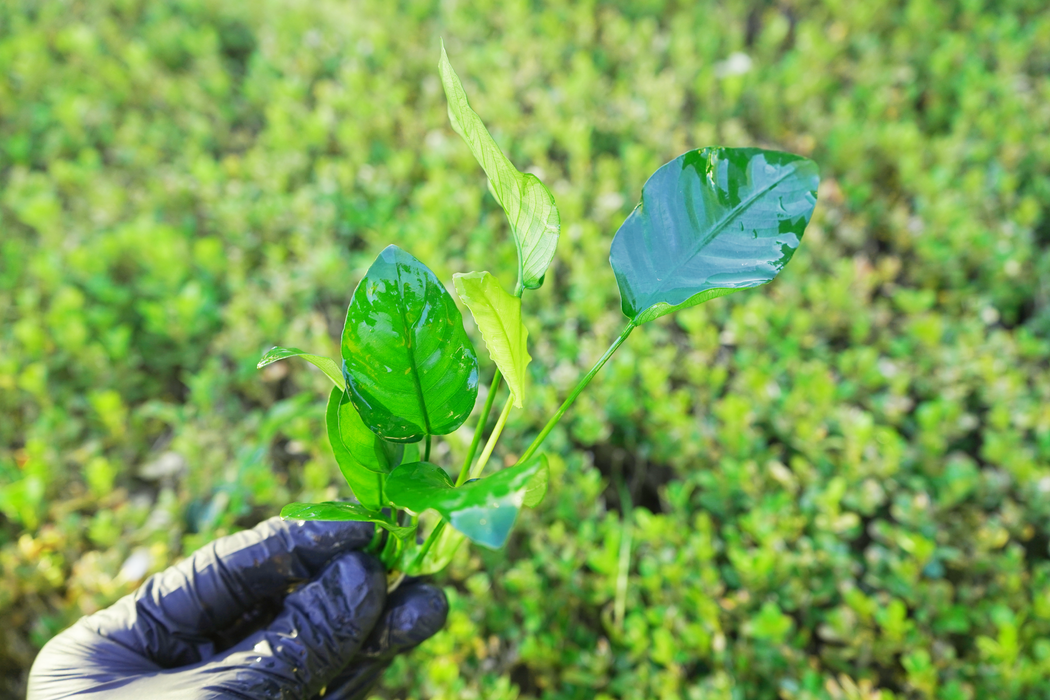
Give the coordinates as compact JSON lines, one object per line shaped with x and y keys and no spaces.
{"x":528,"y":202}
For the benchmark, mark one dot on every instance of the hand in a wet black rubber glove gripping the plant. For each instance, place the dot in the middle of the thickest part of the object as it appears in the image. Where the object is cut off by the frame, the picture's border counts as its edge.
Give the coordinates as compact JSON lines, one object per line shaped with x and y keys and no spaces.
{"x":224,"y":624}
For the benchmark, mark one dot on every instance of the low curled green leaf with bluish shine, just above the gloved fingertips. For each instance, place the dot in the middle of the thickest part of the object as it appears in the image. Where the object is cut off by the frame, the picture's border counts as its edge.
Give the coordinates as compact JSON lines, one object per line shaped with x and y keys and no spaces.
{"x":485,"y":511}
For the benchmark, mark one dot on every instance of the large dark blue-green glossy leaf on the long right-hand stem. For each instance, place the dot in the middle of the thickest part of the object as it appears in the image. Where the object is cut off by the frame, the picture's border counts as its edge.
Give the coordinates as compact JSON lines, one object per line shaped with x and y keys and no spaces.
{"x":710,"y":223}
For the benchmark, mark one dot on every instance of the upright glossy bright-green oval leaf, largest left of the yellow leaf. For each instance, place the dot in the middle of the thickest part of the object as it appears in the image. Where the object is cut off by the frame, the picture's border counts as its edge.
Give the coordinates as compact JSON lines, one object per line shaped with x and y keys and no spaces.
{"x":410,"y":367}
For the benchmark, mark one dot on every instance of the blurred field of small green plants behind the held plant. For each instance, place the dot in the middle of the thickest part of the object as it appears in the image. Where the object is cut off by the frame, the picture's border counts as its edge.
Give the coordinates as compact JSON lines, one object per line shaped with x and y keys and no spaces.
{"x":843,"y":480}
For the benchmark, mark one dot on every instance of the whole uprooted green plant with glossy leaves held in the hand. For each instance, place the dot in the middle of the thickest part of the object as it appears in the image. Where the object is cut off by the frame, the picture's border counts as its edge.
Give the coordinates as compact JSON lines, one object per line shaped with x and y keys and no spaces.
{"x":711,"y":222}
